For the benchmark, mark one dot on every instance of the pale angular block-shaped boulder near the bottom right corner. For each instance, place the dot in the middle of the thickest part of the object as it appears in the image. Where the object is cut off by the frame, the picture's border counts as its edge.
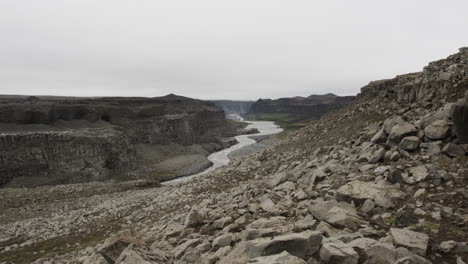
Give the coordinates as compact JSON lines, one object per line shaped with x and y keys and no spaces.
{"x":414,"y":241}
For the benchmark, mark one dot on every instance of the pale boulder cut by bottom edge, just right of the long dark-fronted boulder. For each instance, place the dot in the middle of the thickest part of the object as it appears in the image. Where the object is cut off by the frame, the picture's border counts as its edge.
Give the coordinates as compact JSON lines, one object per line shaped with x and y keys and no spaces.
{"x":337,"y":252}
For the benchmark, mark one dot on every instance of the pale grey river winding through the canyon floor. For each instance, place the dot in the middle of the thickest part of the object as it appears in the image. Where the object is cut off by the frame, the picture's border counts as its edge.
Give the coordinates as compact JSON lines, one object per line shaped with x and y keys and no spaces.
{"x":221,"y":158}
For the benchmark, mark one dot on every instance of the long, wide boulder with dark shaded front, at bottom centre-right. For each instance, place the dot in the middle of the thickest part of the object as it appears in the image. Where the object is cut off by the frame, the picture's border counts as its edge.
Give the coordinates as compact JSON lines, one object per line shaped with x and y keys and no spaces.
{"x":298,"y":244}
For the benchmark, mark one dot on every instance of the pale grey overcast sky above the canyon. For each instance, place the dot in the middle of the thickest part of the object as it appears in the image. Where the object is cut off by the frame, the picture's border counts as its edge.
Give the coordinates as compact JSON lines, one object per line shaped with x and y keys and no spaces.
{"x":213,"y":49}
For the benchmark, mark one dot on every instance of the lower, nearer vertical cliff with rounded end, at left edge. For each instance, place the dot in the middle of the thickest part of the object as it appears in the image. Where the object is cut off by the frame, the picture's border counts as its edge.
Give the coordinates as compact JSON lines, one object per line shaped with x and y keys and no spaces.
{"x":43,"y":158}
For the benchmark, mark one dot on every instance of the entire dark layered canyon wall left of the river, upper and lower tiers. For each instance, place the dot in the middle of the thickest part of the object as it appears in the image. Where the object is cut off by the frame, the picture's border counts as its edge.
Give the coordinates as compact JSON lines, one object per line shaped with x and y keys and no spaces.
{"x":45,"y":141}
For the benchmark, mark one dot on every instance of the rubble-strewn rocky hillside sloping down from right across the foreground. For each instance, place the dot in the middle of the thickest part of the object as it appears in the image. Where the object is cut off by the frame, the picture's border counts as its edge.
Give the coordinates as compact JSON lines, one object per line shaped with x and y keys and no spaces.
{"x":382,"y":181}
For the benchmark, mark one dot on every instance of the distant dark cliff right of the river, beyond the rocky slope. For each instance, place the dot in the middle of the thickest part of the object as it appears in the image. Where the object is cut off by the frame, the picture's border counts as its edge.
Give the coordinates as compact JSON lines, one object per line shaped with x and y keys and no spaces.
{"x":312,"y":107}
